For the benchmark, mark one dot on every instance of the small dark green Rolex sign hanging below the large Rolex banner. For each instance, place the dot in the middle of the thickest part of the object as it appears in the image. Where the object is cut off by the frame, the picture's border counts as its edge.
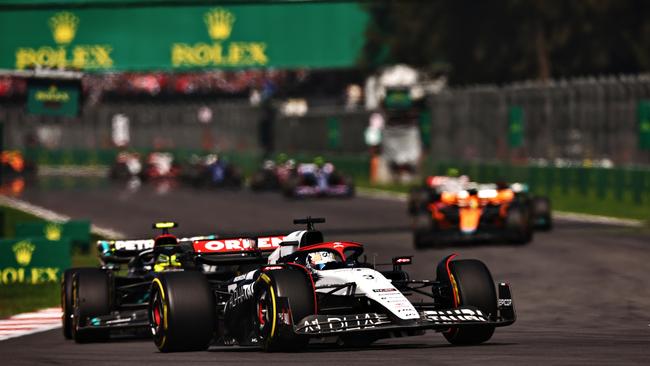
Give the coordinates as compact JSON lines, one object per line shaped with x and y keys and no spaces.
{"x":53,"y":98}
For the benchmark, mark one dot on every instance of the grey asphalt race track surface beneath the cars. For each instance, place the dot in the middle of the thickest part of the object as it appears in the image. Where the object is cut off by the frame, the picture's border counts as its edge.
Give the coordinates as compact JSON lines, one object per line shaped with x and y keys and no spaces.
{"x":582,"y":291}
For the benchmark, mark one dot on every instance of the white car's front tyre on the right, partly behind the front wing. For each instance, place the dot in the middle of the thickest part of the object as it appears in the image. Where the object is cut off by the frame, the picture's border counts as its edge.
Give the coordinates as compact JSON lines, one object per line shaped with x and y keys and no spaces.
{"x":474,"y":287}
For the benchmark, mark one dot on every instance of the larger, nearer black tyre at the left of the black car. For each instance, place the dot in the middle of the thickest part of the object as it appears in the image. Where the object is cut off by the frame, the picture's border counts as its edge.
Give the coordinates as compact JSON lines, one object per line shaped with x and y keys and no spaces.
{"x":91,"y":297}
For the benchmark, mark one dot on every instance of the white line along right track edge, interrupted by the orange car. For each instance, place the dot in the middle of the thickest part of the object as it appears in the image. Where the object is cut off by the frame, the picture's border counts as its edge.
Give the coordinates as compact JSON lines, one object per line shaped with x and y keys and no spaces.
{"x":374,"y":193}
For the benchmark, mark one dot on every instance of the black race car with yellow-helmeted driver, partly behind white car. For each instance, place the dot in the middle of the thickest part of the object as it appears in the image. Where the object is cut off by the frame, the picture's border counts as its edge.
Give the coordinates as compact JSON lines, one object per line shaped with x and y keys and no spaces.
{"x":100,"y":302}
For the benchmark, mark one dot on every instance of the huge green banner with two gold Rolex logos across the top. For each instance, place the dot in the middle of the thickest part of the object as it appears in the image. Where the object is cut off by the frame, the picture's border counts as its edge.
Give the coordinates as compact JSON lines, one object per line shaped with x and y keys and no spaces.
{"x":286,"y":35}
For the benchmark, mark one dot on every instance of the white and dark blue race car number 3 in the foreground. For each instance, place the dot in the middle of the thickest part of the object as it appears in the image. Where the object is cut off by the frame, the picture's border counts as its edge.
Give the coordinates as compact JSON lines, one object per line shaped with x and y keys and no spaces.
{"x":311,"y":289}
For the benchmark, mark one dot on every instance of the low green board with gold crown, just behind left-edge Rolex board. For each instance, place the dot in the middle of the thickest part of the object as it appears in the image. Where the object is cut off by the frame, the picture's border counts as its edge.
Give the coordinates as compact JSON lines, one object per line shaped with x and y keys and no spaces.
{"x":77,"y":231}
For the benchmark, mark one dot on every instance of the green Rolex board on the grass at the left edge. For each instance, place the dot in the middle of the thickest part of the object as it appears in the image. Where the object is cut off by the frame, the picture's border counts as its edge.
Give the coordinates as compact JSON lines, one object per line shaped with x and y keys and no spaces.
{"x":33,"y":261}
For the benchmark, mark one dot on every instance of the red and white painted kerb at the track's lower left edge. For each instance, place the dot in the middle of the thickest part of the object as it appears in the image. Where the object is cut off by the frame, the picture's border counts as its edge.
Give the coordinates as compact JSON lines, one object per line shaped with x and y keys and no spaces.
{"x":30,"y":323}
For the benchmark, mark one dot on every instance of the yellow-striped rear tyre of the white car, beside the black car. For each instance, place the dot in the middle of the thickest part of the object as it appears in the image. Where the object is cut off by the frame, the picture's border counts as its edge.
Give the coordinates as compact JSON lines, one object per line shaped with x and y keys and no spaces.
{"x":181,"y":312}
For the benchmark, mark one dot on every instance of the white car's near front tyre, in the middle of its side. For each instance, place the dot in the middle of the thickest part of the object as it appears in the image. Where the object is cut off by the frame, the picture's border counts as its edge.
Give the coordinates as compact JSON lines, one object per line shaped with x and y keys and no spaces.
{"x":280,"y":294}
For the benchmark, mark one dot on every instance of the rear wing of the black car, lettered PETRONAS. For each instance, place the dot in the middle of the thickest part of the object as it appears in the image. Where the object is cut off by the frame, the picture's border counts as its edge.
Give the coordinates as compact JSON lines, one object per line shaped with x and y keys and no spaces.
{"x":121,"y":251}
